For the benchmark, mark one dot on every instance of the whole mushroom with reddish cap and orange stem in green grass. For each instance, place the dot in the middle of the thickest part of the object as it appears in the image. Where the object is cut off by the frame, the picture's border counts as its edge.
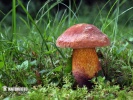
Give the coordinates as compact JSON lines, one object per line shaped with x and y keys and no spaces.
{"x":83,"y":38}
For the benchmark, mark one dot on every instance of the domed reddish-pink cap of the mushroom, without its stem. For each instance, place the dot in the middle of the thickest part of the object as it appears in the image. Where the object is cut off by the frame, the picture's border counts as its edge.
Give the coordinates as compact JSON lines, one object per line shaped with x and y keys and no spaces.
{"x":82,"y":36}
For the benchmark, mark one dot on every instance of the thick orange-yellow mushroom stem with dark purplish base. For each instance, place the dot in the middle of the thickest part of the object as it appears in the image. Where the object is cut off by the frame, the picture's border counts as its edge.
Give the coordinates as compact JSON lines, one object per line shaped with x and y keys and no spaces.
{"x":85,"y":65}
